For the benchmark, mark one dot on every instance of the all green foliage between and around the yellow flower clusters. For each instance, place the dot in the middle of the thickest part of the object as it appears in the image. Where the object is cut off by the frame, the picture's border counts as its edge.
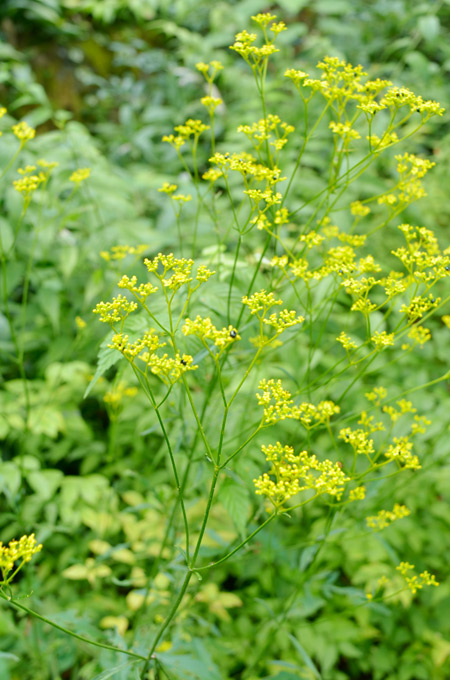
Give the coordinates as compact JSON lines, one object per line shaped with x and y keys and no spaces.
{"x":85,"y":462}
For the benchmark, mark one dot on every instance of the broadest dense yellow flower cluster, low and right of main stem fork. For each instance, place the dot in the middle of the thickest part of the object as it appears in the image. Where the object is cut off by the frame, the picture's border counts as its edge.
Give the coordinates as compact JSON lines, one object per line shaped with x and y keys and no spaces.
{"x":290,"y":474}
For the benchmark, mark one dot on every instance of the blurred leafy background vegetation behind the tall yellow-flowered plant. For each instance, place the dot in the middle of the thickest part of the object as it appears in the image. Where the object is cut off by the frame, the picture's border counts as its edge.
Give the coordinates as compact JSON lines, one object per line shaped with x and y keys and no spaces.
{"x":103,"y":81}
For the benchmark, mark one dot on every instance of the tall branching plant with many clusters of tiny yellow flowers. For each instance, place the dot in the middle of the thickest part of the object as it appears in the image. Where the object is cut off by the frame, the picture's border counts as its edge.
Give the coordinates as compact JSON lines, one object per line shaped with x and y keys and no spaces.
{"x":290,"y":280}
